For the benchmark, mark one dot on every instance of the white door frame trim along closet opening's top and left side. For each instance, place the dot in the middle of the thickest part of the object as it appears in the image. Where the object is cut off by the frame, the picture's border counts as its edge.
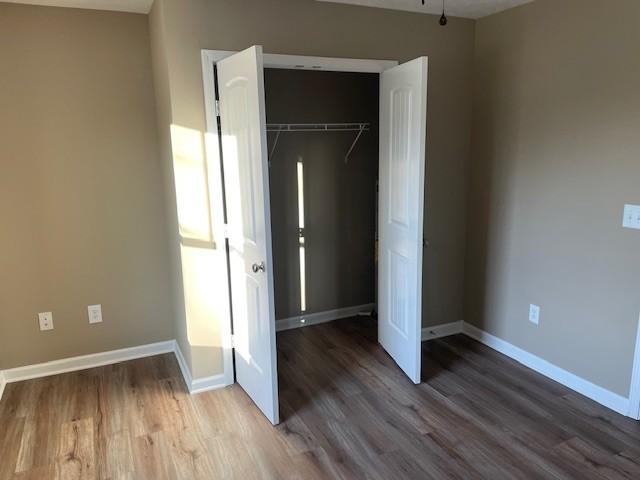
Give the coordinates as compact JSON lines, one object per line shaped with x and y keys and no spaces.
{"x":295,"y":62}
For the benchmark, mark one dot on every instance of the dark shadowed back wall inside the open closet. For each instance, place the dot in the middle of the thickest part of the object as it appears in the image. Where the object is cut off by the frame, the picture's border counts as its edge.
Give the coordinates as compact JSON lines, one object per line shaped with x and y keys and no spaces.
{"x":339,"y":197}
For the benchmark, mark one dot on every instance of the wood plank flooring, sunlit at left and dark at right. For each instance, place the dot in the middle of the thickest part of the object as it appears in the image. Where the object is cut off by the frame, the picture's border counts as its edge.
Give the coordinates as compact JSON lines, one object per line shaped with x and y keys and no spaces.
{"x":348,"y":412}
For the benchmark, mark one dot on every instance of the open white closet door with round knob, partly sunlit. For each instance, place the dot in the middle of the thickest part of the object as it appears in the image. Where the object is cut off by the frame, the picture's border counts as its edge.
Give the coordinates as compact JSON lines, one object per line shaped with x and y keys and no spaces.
{"x":244,"y":148}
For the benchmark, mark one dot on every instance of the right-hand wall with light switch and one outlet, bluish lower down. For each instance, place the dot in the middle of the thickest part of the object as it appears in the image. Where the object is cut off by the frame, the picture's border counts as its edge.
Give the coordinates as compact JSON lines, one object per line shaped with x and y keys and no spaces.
{"x":556,"y":155}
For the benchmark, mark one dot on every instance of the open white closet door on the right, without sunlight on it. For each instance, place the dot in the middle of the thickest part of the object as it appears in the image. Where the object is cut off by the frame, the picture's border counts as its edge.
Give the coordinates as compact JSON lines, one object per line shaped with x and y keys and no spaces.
{"x":403,"y":125}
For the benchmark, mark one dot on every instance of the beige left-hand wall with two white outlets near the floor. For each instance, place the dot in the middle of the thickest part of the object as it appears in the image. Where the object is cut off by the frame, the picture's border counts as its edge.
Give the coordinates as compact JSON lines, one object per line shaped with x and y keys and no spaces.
{"x":80,"y":185}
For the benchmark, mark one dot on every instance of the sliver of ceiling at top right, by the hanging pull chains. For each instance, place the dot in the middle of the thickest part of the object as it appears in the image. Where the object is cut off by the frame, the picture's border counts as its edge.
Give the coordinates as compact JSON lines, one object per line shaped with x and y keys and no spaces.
{"x":454,"y":8}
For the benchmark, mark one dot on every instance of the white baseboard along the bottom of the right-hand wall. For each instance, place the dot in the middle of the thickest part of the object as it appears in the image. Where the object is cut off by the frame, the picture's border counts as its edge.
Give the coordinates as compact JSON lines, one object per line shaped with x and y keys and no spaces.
{"x":601,"y":395}
